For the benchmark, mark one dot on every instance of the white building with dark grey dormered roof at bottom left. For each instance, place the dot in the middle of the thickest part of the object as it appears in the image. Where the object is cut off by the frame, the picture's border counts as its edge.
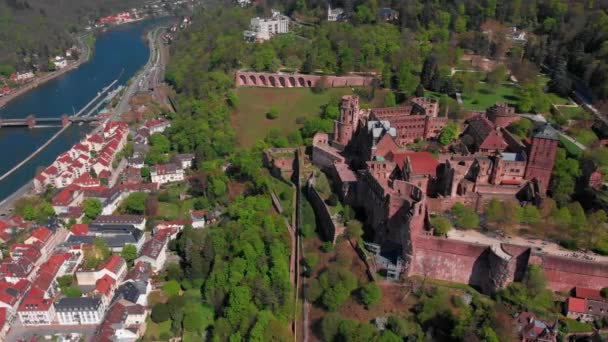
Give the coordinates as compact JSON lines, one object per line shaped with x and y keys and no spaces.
{"x":81,"y":310}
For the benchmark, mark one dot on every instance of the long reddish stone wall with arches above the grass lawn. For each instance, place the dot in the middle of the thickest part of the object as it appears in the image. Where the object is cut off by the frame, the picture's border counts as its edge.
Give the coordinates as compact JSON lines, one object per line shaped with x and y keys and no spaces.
{"x":280,"y":80}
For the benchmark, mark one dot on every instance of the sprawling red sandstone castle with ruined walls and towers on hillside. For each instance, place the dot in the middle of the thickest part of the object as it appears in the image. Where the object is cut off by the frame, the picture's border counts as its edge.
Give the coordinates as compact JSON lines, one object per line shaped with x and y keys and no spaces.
{"x":399,"y":189}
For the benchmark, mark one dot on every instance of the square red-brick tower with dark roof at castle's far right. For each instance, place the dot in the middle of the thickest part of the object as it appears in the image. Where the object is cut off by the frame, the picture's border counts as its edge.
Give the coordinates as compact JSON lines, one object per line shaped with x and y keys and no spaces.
{"x":542,"y":155}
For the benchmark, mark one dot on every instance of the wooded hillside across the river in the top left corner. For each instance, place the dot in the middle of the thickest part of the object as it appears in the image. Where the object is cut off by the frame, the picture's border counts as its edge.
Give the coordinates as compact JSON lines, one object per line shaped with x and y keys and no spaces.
{"x":31,"y":31}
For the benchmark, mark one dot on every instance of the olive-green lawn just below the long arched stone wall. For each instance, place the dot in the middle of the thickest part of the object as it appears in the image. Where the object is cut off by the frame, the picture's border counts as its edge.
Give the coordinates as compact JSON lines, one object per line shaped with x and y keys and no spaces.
{"x":249,"y":118}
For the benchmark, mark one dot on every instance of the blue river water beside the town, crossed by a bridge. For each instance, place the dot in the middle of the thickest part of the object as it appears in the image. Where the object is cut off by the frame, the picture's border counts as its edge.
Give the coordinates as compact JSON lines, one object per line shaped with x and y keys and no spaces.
{"x":120,"y":49}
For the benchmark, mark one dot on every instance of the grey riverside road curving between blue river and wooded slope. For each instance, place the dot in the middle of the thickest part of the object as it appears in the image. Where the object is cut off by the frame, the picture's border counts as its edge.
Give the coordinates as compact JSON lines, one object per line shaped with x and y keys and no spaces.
{"x":148,"y":77}
